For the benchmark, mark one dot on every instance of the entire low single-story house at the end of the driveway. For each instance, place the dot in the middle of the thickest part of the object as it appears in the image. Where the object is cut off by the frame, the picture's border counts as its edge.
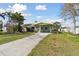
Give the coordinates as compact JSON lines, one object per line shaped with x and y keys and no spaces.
{"x":40,"y":27}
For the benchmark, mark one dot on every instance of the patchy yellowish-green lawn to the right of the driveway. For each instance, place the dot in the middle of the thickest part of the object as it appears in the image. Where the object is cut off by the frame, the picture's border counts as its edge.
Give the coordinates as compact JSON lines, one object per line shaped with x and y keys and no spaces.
{"x":57,"y":45}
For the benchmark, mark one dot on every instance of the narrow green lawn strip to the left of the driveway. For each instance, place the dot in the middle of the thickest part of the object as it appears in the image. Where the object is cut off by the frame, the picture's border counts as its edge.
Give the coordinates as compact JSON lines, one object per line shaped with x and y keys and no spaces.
{"x":4,"y":38}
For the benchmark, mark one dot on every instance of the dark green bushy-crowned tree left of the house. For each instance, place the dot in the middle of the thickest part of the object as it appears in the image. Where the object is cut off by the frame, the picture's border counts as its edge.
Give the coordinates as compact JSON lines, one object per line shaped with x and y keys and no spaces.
{"x":17,"y":18}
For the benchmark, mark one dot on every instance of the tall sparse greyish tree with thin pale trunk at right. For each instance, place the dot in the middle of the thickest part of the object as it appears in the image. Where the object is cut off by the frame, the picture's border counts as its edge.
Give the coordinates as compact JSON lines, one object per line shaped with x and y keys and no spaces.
{"x":68,"y":12}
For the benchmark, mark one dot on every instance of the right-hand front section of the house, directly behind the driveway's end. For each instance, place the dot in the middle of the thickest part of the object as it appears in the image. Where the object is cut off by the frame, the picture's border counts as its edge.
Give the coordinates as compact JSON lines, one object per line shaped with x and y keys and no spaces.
{"x":43,"y":27}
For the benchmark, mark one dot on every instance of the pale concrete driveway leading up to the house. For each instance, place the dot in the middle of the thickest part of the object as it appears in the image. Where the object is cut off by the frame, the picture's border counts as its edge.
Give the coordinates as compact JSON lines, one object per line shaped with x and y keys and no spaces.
{"x":21,"y":47}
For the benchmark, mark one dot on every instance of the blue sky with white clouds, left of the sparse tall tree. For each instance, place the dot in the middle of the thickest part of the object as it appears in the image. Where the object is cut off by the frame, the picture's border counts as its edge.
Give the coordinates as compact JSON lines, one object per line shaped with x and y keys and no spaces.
{"x":41,"y":12}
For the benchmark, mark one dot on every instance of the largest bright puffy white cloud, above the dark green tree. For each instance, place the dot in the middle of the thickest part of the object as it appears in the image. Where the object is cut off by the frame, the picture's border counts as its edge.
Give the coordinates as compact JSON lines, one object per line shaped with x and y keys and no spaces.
{"x":17,"y":8}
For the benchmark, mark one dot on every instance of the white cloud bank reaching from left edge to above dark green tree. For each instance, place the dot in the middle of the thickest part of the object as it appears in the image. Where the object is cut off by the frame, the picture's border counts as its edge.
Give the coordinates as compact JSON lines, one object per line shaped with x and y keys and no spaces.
{"x":14,"y":8}
